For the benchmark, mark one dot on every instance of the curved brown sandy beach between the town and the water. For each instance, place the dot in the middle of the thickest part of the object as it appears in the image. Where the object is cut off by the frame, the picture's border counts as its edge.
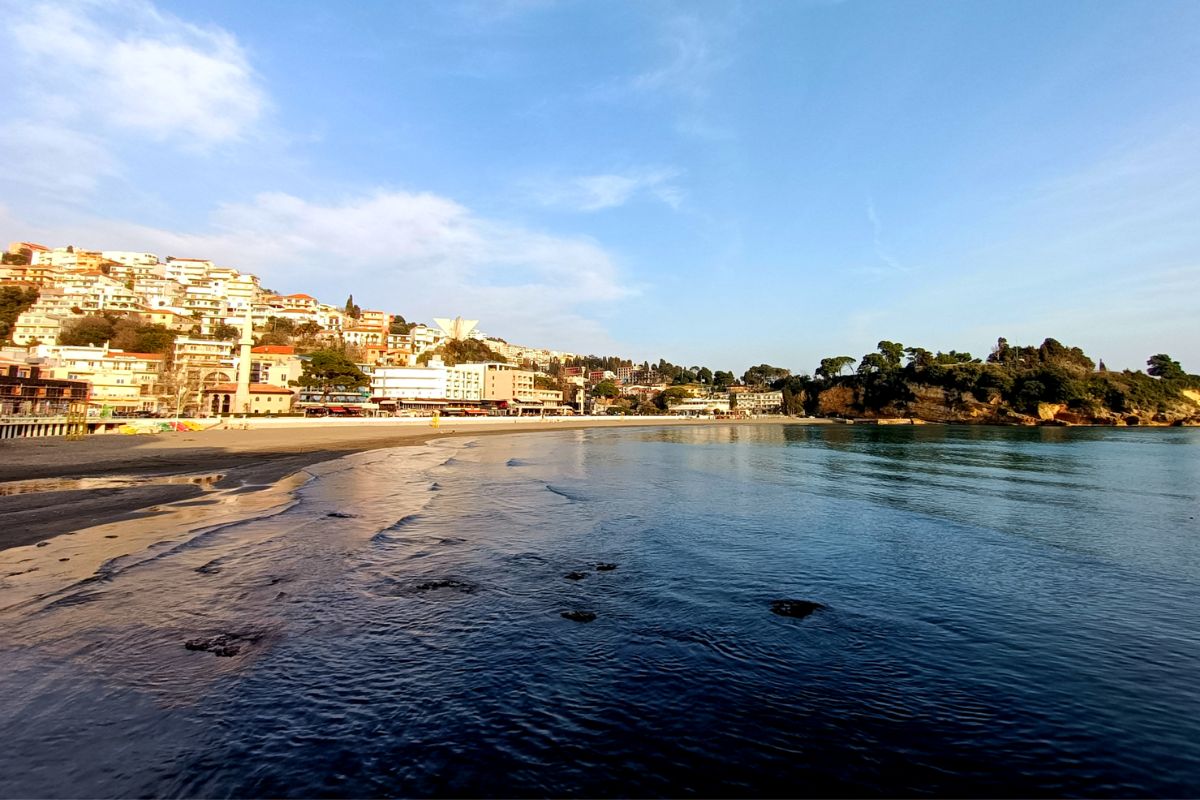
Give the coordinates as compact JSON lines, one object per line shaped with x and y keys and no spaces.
{"x":59,"y":471}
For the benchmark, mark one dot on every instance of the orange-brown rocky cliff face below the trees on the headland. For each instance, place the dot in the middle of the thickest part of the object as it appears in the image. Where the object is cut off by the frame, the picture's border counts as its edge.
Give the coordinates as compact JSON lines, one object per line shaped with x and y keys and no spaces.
{"x":939,"y":405}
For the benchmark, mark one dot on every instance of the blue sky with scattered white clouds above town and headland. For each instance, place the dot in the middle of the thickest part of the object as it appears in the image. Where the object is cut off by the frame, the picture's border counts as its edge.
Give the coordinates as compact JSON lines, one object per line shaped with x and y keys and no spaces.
{"x":721,"y":184}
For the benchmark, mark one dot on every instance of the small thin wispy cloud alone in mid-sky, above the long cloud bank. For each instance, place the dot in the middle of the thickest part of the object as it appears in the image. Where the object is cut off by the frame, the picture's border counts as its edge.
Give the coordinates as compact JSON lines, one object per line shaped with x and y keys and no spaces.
{"x":610,"y":190}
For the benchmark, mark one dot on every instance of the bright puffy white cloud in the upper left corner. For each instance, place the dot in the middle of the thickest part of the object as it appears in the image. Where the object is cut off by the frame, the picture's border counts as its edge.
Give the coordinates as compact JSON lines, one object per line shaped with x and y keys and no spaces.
{"x":91,"y":79}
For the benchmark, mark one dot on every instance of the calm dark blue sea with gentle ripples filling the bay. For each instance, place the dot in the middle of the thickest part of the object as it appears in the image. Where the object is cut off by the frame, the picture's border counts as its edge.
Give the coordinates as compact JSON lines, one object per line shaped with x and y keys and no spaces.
{"x":1010,"y":612}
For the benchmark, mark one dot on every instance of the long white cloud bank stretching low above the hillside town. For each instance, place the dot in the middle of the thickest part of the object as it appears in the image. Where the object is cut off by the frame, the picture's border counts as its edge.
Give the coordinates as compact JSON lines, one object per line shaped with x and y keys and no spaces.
{"x":417,"y":254}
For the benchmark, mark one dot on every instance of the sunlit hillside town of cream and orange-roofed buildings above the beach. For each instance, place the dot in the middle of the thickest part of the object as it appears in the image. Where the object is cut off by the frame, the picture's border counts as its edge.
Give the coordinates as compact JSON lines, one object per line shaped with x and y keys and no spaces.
{"x":113,"y":335}
